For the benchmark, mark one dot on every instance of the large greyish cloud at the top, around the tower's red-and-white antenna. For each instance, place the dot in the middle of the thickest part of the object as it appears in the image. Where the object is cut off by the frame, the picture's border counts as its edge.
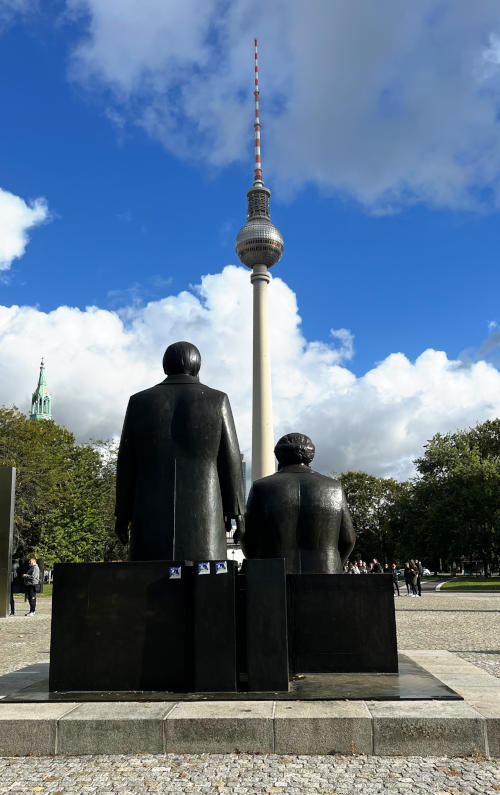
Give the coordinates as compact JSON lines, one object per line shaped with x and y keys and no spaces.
{"x":385,"y":102}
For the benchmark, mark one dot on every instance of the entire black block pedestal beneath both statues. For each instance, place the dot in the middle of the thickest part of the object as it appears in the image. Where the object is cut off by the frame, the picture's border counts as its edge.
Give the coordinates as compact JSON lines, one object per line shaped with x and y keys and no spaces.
{"x":165,"y":626}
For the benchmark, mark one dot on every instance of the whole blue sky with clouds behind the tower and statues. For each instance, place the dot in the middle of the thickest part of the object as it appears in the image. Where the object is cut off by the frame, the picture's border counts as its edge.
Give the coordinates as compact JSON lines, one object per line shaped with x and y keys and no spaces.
{"x":134,"y":128}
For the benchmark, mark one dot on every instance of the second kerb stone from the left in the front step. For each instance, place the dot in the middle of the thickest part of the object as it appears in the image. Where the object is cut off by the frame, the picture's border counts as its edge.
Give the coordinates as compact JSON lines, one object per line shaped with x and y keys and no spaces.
{"x":113,"y":728}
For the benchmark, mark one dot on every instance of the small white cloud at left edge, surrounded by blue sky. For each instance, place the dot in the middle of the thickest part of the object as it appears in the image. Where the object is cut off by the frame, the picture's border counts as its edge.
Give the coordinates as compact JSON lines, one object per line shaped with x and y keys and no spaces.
{"x":17,"y":217}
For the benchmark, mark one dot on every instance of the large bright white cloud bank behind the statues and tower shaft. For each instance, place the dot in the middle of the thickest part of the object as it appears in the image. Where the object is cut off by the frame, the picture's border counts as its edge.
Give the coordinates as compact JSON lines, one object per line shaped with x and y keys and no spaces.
{"x":378,"y":422}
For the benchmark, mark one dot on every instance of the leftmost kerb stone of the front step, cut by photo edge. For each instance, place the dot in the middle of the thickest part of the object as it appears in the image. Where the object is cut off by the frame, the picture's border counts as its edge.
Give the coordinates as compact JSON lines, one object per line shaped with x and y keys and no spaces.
{"x":30,"y":728}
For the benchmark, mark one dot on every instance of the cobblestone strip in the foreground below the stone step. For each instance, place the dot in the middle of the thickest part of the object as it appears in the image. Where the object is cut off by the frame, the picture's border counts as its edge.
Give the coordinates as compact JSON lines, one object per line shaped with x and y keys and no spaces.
{"x":242,"y":773}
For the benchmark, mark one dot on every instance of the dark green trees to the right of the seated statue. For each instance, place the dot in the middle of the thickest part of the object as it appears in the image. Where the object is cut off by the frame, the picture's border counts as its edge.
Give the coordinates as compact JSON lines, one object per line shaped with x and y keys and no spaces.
{"x":449,"y":511}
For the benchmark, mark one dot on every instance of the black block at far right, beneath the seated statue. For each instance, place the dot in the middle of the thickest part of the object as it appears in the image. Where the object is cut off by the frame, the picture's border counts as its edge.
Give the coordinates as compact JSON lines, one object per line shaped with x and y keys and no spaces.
{"x":339,"y":623}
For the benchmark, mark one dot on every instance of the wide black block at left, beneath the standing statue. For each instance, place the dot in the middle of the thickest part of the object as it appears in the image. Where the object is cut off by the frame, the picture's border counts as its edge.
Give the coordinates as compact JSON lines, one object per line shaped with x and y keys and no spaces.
{"x":121,"y":626}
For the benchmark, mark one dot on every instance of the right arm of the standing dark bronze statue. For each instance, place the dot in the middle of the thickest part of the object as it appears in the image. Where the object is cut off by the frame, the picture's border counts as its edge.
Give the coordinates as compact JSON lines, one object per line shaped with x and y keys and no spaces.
{"x":230,"y":469}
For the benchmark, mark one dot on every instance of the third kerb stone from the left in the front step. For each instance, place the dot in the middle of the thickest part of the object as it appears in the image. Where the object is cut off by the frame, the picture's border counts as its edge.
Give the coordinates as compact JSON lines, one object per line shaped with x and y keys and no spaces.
{"x":220,"y":727}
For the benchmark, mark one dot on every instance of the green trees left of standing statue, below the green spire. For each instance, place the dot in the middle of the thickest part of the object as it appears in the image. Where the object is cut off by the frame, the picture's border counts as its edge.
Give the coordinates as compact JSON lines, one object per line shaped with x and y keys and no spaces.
{"x":64,"y":491}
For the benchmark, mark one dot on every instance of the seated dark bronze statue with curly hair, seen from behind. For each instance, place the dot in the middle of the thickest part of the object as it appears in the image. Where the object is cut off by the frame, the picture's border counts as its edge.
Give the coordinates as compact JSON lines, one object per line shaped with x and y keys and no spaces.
{"x":298,"y":514}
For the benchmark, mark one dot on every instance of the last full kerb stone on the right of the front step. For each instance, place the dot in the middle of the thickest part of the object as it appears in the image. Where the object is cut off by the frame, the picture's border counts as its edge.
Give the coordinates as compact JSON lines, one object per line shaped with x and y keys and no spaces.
{"x":419,"y":727}
